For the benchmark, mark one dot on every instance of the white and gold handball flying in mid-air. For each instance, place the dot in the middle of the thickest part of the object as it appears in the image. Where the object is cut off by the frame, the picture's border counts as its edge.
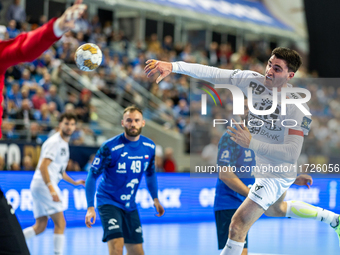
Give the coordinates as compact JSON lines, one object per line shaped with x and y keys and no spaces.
{"x":88,"y":57}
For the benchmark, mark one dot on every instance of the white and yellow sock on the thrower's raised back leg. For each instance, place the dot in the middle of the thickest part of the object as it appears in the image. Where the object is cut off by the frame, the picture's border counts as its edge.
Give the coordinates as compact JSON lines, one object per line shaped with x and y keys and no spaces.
{"x":298,"y":209}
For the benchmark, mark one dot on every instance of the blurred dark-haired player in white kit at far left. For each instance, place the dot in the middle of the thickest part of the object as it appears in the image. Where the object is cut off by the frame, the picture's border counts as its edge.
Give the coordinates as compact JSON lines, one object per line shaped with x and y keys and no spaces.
{"x":44,"y":186}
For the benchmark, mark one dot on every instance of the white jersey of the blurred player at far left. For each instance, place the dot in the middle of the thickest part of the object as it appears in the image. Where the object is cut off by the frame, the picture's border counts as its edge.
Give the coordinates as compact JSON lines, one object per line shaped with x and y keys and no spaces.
{"x":57,"y":150}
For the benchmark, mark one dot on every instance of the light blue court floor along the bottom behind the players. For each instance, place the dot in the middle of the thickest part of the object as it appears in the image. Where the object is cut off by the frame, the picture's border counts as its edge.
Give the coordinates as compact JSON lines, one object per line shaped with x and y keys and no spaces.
{"x":268,"y":236}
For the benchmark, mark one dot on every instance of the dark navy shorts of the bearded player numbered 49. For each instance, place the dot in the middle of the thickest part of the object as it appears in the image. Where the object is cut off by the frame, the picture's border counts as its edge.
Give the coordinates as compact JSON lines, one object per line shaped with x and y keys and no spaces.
{"x":118,"y":223}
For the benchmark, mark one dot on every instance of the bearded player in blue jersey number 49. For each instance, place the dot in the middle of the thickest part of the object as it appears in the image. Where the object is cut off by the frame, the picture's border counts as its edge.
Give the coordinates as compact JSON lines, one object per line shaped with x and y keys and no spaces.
{"x":122,"y":160}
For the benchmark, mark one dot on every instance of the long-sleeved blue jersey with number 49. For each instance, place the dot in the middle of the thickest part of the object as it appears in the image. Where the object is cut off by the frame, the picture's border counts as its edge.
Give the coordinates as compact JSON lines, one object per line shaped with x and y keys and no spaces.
{"x":122,"y":163}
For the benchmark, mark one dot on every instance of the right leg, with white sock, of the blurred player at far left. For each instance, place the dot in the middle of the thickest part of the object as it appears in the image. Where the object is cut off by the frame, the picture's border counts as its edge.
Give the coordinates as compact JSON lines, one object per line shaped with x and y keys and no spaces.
{"x":59,"y":228}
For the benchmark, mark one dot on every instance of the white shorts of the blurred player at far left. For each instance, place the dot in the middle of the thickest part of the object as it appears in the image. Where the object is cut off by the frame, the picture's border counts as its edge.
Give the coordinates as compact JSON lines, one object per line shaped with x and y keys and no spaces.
{"x":43,"y":204}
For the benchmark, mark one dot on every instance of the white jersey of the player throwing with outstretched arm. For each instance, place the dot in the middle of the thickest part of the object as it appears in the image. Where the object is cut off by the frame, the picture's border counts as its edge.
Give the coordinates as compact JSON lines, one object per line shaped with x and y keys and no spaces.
{"x":271,"y":132}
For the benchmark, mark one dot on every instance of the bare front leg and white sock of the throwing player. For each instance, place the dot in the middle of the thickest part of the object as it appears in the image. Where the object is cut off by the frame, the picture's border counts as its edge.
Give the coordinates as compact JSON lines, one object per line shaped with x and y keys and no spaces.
{"x":243,"y":219}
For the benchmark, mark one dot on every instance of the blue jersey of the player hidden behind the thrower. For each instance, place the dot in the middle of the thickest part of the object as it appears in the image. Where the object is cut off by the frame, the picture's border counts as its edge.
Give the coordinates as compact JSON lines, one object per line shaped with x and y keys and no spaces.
{"x":232,"y":154}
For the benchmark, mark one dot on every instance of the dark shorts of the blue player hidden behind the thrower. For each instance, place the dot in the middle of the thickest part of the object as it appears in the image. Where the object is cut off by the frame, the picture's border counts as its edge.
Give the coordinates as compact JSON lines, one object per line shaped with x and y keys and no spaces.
{"x":223,"y":220}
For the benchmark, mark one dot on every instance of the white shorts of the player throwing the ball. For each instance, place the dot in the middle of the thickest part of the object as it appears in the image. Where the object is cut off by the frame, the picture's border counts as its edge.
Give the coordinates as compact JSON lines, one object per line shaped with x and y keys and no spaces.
{"x":266,"y":191}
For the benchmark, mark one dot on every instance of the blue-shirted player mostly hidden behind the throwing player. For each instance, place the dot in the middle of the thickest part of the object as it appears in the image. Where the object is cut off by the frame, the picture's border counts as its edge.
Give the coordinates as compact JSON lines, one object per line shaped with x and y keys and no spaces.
{"x":234,"y":183}
